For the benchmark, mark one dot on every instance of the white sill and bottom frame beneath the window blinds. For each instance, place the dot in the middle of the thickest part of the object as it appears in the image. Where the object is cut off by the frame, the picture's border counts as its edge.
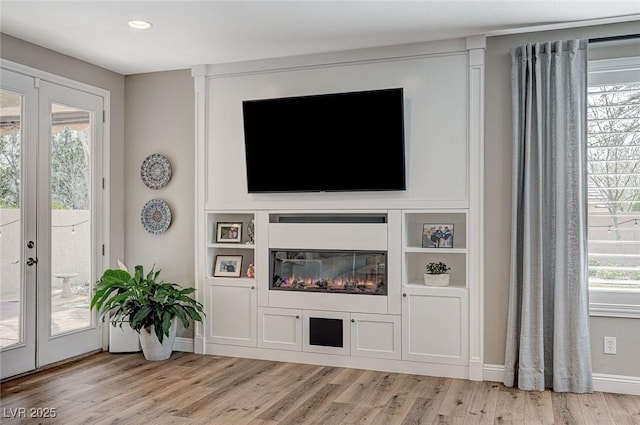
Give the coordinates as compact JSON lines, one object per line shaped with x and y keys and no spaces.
{"x":609,"y":302}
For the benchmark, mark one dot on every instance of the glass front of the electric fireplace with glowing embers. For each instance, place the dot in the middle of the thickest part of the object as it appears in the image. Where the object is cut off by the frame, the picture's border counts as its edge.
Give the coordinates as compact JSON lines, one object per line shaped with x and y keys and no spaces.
{"x":343,"y":272}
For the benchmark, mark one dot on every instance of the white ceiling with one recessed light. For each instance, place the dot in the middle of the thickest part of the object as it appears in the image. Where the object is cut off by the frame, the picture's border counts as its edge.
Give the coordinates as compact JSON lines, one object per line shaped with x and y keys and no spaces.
{"x":187,"y":33}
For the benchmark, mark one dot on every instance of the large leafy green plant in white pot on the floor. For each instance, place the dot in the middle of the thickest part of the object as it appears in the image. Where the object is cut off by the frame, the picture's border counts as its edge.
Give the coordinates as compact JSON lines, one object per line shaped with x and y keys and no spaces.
{"x":152,"y":308}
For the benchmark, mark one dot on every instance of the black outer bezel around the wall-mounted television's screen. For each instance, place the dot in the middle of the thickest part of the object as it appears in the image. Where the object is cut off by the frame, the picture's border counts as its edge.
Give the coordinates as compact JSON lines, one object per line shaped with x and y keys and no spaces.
{"x":391,"y":188}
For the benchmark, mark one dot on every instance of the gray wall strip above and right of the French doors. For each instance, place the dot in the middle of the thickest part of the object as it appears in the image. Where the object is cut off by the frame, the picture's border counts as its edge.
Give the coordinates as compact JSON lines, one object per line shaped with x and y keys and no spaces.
{"x":19,"y":51}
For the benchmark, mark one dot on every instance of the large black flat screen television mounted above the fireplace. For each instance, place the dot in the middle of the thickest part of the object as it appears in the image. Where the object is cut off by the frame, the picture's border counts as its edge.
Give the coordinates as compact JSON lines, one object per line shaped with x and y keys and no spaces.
{"x":339,"y":142}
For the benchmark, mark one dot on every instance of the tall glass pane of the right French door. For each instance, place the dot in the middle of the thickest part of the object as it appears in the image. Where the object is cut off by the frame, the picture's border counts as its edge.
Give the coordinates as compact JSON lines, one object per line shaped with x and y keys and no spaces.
{"x":70,"y":219}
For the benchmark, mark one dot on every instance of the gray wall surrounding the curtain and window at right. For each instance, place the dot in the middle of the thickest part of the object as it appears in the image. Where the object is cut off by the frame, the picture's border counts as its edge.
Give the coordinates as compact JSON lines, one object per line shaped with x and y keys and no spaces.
{"x":498,"y":158}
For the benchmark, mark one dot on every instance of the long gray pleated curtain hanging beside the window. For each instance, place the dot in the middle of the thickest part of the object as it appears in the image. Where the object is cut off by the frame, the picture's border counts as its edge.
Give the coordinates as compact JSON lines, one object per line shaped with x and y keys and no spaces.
{"x":548,"y":342}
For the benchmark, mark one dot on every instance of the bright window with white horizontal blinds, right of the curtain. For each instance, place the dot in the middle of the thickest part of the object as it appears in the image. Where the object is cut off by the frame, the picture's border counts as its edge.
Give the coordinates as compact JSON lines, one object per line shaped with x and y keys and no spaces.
{"x":613,"y":168}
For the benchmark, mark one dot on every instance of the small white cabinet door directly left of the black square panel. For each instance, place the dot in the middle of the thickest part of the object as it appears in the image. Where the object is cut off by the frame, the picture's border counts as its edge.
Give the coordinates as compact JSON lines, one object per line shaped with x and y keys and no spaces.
{"x":280,"y":328}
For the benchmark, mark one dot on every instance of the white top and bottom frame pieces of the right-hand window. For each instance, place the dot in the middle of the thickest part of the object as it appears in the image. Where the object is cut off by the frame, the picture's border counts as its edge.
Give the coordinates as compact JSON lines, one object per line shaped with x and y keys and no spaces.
{"x":614,"y":302}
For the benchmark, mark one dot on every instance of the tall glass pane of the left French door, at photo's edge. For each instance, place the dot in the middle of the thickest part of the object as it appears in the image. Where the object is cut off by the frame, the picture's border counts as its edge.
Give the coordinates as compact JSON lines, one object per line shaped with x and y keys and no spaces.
{"x":11,"y":301}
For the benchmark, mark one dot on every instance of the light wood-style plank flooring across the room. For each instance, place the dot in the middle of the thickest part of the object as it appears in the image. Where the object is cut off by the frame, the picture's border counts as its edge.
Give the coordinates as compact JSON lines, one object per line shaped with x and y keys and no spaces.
{"x":195,"y":389}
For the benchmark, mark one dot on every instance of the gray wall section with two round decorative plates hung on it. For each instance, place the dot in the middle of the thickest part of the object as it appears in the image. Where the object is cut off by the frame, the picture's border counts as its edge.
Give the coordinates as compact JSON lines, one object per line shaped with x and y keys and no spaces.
{"x":160,"y":119}
